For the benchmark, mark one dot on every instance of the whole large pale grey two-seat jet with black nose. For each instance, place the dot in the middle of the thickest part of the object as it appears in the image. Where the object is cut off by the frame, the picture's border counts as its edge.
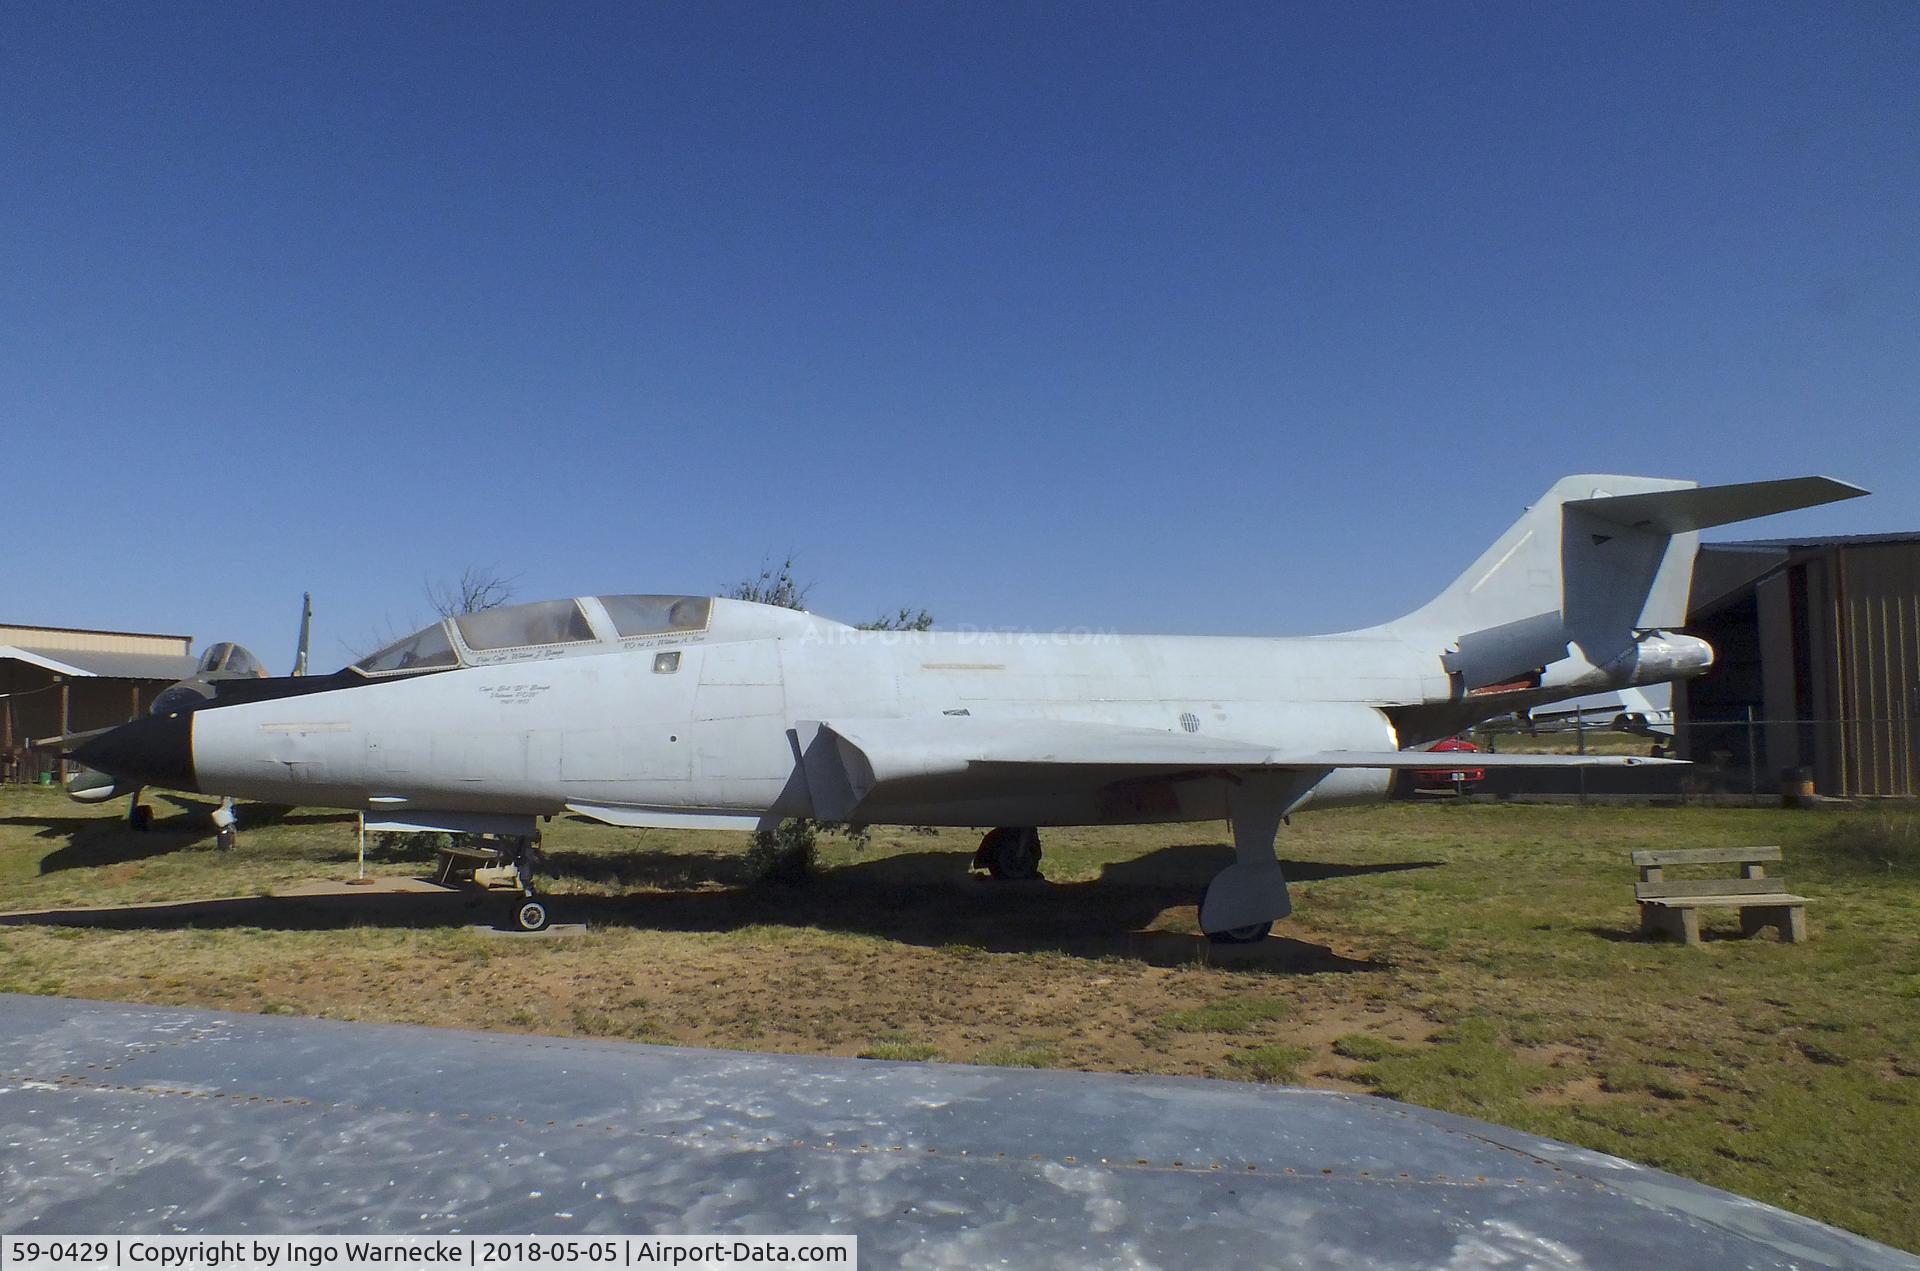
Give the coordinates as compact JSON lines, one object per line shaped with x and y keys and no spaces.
{"x":713,"y":713}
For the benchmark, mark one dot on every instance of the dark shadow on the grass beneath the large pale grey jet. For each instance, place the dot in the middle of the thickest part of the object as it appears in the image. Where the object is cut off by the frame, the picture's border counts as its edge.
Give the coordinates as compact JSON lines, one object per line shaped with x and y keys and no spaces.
{"x":924,"y":899}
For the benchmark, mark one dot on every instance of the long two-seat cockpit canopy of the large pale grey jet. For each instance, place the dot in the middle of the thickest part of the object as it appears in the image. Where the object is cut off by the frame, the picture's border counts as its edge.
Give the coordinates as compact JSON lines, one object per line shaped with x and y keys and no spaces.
{"x":540,"y":631}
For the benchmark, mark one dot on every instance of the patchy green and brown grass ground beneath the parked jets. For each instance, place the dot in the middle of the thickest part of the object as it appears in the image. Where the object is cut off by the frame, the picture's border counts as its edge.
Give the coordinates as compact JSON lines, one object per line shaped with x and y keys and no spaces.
{"x":1477,"y":959}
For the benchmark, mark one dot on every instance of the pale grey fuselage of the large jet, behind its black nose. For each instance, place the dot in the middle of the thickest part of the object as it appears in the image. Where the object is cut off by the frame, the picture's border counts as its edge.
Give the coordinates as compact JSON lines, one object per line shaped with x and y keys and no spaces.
{"x":706,"y":727}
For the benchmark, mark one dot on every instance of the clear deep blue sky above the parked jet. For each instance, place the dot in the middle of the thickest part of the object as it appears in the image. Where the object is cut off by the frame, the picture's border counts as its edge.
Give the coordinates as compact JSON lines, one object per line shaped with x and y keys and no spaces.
{"x":1147,"y":318}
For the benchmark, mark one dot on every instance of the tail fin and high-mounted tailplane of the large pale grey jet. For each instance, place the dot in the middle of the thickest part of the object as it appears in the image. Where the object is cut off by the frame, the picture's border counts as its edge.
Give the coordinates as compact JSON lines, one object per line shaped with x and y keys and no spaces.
{"x":1593,"y":564}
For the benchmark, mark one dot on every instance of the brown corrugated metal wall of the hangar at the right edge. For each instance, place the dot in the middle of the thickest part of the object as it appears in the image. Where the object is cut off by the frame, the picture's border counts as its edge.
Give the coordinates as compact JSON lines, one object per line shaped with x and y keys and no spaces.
{"x":1873,"y":667}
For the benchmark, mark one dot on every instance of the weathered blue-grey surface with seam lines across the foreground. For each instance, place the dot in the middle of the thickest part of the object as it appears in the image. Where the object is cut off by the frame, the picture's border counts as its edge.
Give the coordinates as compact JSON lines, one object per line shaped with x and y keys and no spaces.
{"x":156,"y":1120}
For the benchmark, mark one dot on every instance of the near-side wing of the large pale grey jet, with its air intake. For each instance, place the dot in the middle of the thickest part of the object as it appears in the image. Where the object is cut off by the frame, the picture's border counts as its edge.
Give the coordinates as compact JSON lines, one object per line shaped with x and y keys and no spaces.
{"x":848,"y":761}
